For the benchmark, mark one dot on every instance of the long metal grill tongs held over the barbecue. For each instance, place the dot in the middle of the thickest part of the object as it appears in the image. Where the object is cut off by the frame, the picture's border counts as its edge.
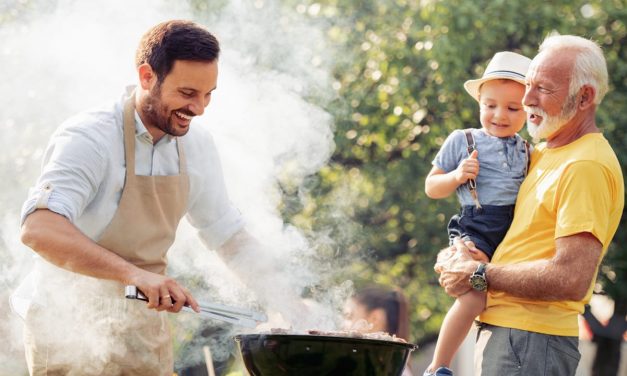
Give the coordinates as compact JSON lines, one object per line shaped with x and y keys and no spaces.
{"x":234,"y":315}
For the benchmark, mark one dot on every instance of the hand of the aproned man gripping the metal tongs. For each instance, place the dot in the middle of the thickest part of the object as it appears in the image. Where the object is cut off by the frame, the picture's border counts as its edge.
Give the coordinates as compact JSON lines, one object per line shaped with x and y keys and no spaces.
{"x":163,"y":293}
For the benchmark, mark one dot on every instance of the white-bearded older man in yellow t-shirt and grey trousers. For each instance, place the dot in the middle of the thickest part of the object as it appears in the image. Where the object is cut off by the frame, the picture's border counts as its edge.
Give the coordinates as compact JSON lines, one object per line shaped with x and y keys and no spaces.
{"x":567,"y":211}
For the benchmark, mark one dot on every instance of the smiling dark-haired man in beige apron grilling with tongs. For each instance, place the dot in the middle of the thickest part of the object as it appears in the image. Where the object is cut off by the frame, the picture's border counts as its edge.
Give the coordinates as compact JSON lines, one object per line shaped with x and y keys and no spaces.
{"x":115,"y":183}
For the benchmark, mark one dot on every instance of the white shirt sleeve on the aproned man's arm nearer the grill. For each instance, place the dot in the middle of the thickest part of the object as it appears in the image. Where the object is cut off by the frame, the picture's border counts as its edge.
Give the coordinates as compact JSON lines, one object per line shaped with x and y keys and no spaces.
{"x":210,"y":211}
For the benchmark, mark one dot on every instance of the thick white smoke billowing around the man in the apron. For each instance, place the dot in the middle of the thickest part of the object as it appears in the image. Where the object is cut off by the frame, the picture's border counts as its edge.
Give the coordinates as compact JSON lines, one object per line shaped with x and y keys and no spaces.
{"x":64,"y":57}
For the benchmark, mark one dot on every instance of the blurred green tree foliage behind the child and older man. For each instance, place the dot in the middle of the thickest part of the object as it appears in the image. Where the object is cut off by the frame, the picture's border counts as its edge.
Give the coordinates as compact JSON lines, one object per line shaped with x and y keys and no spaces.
{"x":399,"y":70}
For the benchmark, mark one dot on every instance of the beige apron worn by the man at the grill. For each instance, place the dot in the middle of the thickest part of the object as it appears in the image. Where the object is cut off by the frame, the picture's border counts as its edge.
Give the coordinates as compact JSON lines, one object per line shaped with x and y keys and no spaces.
{"x":93,"y":329}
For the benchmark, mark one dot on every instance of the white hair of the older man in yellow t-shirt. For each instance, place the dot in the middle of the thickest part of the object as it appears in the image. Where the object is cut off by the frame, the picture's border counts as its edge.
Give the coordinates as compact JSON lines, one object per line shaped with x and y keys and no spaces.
{"x":590,"y":67}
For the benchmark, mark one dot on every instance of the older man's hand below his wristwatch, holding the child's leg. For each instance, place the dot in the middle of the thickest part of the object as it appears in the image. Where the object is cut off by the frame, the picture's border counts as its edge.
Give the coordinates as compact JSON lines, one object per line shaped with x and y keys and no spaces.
{"x":455,"y":271}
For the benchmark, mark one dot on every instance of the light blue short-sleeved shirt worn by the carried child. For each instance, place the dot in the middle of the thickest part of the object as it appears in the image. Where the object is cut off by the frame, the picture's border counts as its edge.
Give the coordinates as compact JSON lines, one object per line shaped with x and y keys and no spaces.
{"x":502,"y":165}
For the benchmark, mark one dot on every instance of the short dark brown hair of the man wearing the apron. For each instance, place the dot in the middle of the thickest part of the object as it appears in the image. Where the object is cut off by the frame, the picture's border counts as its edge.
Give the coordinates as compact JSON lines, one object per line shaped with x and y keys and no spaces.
{"x":175,"y":40}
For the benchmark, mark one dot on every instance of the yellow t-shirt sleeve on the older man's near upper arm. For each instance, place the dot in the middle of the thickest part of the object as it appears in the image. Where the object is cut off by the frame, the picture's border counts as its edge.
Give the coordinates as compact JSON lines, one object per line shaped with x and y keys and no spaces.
{"x":584,"y":200}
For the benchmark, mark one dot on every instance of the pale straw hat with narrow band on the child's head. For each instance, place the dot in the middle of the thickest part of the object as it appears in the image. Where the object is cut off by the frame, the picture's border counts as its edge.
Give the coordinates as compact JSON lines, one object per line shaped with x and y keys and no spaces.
{"x":504,"y":65}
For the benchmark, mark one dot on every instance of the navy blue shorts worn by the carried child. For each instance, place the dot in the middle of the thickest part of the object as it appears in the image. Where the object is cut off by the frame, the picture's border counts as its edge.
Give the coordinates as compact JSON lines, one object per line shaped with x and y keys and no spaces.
{"x":486,"y":227}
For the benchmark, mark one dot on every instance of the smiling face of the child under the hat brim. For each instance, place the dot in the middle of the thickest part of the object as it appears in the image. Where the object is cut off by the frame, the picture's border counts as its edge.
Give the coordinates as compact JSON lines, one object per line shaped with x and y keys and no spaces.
{"x":501,"y":110}
